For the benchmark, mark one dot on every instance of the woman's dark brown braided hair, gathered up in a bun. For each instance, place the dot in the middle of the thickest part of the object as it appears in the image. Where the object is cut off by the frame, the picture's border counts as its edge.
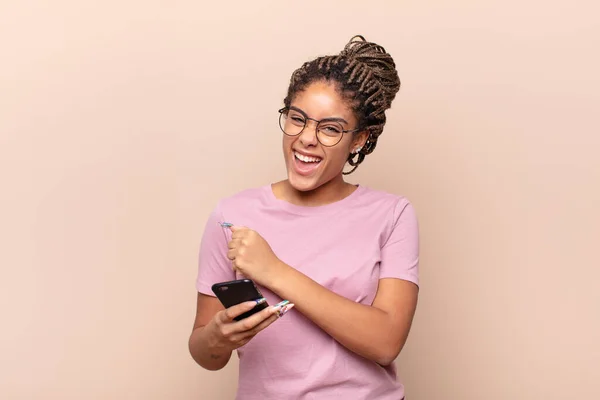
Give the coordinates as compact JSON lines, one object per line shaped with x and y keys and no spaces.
{"x":365,"y":75}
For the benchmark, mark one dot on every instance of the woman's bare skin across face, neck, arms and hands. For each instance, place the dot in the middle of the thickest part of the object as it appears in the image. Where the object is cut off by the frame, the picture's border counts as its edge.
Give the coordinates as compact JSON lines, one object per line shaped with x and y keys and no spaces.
{"x":383,"y":327}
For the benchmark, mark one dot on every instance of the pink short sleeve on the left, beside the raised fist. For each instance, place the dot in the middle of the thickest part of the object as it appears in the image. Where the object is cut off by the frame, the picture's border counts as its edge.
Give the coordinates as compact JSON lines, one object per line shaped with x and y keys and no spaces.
{"x":213,"y":264}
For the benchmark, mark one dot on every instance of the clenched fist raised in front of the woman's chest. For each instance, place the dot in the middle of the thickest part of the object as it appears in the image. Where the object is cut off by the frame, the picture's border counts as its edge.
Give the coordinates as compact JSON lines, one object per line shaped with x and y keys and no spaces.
{"x":251,"y":255}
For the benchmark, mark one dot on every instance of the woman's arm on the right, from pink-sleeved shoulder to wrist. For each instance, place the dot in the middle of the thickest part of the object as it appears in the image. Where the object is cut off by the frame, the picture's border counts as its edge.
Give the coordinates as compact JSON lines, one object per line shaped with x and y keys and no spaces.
{"x":378,"y":331}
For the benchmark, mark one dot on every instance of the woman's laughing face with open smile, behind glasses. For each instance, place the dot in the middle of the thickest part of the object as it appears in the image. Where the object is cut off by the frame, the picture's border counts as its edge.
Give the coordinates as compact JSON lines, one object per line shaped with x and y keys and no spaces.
{"x":309,"y":163}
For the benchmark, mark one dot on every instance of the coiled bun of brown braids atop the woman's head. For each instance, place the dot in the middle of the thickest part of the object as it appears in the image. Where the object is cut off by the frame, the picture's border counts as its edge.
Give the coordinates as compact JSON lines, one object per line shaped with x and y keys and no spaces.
{"x":379,"y":63}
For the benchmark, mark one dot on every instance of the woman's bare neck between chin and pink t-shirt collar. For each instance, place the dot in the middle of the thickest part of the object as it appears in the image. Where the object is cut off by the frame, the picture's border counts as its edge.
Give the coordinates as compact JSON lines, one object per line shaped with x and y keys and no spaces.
{"x":330,"y":192}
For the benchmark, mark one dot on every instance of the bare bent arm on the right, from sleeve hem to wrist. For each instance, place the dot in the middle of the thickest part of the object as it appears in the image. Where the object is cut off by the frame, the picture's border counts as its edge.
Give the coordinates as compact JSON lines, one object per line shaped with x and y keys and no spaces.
{"x":376,"y":332}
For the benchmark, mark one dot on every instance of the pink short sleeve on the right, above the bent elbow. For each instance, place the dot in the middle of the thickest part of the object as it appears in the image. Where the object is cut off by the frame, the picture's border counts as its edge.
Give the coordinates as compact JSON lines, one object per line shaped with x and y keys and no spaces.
{"x":400,"y":253}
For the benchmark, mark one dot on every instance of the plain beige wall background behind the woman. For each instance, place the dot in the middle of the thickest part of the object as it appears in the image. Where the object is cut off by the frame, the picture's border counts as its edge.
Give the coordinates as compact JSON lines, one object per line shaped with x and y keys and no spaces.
{"x":123,"y":122}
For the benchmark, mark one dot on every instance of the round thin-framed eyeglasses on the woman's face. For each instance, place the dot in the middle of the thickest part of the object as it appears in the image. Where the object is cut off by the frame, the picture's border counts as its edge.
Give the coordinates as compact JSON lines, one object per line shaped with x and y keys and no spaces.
{"x":329,"y":130}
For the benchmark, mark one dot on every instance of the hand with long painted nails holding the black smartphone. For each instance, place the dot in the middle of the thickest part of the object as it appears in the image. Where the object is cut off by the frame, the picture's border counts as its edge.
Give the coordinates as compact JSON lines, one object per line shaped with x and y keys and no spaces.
{"x":227,"y":334}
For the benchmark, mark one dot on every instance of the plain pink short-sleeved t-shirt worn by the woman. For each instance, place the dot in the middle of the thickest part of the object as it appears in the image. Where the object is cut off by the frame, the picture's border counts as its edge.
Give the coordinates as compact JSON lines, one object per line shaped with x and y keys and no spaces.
{"x":346,"y":246}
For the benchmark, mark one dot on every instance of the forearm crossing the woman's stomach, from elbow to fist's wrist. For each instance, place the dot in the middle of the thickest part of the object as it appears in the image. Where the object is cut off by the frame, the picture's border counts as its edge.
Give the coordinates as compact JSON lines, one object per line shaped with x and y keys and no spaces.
{"x":363,"y":329}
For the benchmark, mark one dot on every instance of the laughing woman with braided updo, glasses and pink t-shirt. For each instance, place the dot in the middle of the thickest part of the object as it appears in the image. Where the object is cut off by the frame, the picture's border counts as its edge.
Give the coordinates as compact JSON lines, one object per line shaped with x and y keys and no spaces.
{"x":345,"y":255}
